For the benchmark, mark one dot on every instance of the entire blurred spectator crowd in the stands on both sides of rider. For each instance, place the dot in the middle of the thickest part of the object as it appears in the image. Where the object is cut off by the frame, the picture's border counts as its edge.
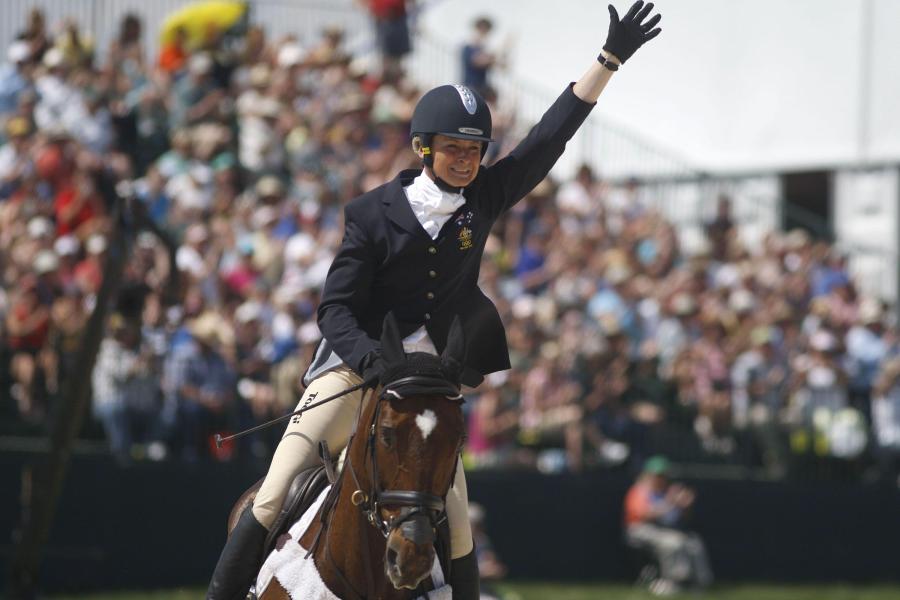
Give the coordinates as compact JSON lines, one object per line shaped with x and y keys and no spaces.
{"x":243,"y":150}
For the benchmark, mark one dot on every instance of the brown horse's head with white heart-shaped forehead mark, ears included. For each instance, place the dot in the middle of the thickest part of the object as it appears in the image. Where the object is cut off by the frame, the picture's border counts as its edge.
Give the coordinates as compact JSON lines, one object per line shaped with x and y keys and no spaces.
{"x":415,"y":437}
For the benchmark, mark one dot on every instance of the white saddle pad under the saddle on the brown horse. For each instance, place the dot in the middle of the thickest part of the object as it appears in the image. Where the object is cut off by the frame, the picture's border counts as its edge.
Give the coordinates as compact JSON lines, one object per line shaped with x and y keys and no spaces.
{"x":299,"y":576}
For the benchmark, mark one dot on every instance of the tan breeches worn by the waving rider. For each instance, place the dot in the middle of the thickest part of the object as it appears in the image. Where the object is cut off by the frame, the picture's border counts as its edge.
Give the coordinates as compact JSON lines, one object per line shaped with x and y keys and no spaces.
{"x":334,"y":422}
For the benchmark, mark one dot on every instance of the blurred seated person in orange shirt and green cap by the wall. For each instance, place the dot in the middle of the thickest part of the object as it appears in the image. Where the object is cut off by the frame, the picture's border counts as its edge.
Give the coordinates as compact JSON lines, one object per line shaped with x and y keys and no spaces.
{"x":655,"y":510}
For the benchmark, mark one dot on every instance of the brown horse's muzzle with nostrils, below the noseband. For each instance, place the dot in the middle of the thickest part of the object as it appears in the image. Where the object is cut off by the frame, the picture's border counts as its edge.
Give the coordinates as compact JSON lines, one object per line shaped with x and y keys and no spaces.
{"x":410,"y":552}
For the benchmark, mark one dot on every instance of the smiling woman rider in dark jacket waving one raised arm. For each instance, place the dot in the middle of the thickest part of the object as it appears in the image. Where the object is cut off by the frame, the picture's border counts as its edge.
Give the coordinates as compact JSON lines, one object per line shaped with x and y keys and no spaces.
{"x":413,"y":247}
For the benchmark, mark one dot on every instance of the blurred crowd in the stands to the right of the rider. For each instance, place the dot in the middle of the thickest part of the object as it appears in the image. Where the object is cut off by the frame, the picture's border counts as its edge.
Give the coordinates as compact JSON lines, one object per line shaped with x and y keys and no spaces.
{"x":625,"y":346}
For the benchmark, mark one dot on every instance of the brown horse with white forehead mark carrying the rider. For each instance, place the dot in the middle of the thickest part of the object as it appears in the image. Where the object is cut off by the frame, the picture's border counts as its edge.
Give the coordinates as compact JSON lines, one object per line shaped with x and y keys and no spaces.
{"x":374,"y":534}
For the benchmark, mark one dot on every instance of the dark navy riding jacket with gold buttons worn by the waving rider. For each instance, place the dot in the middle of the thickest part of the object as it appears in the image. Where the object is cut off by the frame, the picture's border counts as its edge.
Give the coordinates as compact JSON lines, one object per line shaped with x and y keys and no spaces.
{"x":388,"y":262}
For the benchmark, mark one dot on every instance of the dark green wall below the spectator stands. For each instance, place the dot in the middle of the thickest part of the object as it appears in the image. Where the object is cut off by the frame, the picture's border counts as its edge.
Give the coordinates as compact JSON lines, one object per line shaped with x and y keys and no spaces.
{"x":160,"y":525}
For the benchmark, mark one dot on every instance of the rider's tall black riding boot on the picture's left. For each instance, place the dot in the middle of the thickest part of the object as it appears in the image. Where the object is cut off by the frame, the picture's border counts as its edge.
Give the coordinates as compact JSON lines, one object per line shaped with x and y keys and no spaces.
{"x":240,"y":560}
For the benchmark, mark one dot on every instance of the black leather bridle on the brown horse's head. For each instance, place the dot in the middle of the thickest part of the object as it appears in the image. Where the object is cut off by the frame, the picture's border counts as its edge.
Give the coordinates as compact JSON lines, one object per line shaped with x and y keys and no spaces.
{"x":412,"y":503}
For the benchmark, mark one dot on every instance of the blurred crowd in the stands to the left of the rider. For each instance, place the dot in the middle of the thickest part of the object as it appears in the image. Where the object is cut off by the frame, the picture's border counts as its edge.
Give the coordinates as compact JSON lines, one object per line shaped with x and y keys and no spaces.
{"x":241,"y":150}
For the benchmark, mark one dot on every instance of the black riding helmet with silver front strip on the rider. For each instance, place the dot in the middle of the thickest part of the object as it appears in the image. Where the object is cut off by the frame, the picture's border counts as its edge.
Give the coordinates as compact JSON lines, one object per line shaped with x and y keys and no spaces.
{"x":454,"y":111}
